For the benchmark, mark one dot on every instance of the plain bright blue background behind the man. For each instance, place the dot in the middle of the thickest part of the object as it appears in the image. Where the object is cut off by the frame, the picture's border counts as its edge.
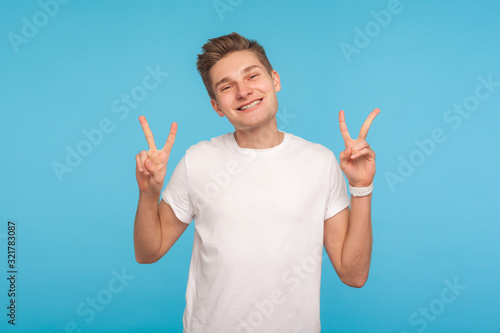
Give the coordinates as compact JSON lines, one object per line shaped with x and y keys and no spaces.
{"x":435,"y":224}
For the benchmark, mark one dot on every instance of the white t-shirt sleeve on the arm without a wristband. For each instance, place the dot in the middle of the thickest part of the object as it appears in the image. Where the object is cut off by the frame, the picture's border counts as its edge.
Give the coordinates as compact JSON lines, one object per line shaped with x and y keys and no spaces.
{"x":176,"y":194}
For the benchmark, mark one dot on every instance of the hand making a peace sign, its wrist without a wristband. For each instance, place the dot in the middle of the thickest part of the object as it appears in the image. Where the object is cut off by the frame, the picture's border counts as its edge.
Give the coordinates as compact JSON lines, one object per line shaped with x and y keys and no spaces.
{"x":151,"y":166}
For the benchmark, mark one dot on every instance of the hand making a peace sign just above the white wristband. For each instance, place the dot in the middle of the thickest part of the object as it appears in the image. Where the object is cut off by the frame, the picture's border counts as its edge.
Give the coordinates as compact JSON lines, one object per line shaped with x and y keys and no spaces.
{"x":357,"y":161}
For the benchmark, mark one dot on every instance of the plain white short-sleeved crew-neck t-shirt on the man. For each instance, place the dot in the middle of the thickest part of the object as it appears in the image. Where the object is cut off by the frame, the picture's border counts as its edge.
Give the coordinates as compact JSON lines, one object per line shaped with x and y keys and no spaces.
{"x":258,"y":243}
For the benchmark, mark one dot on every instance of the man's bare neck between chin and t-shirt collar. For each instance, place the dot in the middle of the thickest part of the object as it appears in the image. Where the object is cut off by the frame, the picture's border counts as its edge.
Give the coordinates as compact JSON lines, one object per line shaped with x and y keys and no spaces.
{"x":258,"y":138}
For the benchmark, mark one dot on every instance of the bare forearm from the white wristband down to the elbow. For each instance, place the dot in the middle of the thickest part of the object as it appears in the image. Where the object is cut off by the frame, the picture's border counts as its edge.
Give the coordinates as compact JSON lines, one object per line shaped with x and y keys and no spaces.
{"x":357,"y":247}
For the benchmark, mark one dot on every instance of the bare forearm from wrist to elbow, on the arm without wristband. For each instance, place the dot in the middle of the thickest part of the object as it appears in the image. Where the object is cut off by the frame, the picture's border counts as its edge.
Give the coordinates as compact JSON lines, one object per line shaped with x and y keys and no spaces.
{"x":147,"y":229}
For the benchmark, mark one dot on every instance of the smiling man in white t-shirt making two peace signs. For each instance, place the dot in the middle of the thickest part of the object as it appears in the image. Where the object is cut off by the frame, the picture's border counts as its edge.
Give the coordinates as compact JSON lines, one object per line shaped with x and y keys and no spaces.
{"x":265,"y":202}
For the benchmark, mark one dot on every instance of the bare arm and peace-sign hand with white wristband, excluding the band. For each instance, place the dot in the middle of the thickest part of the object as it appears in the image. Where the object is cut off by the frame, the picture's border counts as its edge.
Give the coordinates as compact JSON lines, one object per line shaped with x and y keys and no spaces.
{"x":348,"y":235}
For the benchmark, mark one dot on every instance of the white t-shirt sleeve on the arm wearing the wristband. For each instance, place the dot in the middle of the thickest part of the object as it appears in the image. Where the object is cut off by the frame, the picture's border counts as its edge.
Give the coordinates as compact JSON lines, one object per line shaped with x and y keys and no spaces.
{"x":337,"y":196}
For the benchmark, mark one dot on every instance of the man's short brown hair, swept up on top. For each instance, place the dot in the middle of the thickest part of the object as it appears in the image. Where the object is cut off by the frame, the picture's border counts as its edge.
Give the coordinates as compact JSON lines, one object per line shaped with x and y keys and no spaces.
{"x":217,"y":48}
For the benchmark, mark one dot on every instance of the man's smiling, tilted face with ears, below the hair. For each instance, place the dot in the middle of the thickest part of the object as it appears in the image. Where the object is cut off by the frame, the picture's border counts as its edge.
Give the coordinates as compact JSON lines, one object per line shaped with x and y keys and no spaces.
{"x":245,"y":92}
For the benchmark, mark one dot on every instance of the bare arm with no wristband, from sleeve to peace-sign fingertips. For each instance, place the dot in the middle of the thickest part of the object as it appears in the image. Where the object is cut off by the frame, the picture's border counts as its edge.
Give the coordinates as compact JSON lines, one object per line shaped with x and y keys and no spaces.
{"x":156,"y":227}
